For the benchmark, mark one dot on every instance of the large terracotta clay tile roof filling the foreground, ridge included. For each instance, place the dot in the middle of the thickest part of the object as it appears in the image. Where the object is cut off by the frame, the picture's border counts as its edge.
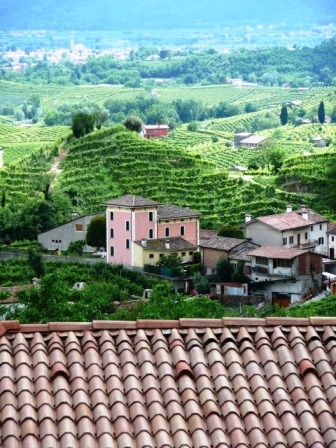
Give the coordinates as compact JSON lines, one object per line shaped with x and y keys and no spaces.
{"x":218,"y":383}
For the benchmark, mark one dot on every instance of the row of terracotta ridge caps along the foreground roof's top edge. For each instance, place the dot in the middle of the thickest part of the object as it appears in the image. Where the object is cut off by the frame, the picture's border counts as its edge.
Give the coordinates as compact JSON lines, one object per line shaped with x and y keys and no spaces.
{"x":15,"y":326}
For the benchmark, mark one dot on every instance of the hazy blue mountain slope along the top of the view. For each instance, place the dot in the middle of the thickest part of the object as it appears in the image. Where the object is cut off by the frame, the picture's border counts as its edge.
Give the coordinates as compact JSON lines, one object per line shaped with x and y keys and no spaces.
{"x":164,"y":14}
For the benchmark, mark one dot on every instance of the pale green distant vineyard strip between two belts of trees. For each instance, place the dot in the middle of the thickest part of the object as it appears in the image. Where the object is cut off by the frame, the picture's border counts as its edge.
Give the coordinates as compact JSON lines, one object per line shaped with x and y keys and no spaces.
{"x":263,"y":97}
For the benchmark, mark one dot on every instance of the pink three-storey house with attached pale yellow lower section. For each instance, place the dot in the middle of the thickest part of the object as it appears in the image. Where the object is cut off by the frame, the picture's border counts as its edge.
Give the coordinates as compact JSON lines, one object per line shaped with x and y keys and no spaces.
{"x":135,"y":223}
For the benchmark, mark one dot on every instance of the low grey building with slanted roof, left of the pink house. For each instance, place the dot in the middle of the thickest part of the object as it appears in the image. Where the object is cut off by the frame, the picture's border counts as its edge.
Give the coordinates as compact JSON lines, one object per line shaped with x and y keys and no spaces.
{"x":61,"y":236}
